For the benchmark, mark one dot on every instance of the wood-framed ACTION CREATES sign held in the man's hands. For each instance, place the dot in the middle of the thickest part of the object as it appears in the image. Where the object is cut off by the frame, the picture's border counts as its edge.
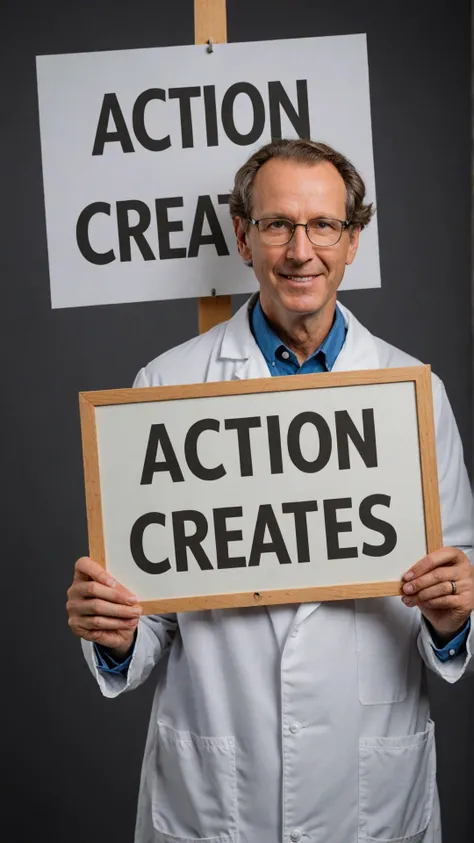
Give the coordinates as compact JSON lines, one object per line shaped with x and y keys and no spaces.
{"x":278,"y":490}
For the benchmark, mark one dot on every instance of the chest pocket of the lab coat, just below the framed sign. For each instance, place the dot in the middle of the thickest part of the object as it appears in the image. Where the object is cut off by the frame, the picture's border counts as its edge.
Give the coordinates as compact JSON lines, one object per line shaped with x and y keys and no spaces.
{"x":384,"y":635}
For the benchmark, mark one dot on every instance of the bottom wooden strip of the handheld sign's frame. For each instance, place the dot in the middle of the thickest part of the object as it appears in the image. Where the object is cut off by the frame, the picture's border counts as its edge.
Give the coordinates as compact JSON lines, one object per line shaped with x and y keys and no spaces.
{"x":273,"y":598}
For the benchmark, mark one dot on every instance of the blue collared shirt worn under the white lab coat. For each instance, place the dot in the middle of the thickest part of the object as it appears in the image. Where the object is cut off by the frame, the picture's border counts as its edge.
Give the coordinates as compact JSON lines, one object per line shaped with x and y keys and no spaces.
{"x":281,"y":361}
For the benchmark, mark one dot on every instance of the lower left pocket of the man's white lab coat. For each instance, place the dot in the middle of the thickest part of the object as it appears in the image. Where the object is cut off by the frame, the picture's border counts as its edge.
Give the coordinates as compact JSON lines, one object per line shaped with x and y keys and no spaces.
{"x":195,"y":792}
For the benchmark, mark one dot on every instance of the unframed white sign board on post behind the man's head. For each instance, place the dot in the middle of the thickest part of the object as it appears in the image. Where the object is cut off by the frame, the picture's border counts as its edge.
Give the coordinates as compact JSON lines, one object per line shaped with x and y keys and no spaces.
{"x":140,"y":149}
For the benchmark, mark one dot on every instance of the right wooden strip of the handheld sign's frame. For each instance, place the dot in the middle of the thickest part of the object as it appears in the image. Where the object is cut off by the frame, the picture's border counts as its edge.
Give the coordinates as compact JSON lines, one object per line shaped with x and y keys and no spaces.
{"x":429,"y":470}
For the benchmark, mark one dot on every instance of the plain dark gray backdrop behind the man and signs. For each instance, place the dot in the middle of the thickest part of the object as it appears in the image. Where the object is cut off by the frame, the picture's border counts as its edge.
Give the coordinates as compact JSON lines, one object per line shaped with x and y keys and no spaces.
{"x":73,"y":758}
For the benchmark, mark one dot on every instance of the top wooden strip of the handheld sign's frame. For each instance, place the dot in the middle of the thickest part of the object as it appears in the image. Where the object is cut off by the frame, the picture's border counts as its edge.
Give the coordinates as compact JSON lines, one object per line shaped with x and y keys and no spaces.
{"x":286,"y":383}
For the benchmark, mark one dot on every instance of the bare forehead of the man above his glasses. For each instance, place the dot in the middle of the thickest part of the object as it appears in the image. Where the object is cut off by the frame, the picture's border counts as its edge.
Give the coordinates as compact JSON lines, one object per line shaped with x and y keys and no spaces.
{"x":294,"y":181}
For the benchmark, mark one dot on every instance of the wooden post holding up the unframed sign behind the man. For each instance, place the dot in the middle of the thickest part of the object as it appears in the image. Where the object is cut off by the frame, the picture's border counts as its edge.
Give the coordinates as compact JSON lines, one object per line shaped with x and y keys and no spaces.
{"x":210,"y":22}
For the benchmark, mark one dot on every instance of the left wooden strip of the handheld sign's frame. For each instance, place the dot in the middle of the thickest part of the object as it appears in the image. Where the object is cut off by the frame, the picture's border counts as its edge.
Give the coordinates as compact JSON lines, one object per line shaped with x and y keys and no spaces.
{"x":90,"y":456}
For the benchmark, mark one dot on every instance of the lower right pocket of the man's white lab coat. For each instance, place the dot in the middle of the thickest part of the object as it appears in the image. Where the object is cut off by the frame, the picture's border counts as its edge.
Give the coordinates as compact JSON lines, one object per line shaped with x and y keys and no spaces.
{"x":396,"y":787}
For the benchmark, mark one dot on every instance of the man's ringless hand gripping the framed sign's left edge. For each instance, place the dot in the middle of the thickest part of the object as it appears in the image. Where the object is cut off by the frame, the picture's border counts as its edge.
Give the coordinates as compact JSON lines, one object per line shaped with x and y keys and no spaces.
{"x":102,"y":610}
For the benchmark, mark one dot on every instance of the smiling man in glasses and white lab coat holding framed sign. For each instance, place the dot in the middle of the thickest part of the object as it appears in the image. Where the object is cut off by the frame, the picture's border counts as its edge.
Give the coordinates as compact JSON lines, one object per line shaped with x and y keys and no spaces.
{"x":309,"y":722}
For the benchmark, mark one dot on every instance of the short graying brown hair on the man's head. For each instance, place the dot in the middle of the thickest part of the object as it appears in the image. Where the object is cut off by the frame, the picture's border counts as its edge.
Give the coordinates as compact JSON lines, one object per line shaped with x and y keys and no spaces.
{"x":306,"y":152}
